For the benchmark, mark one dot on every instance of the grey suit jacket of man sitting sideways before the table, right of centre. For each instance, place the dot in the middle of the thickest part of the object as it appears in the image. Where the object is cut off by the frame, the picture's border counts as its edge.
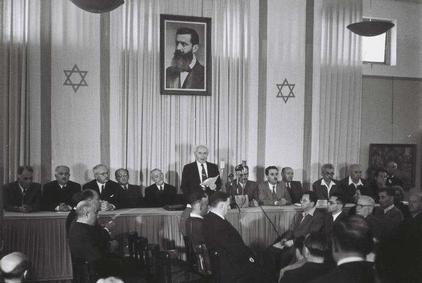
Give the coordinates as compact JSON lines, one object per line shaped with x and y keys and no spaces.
{"x":311,"y":224}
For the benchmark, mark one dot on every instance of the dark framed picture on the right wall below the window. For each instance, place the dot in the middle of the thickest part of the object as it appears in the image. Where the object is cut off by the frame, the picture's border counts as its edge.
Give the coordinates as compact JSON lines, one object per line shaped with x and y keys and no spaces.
{"x":403,"y":154}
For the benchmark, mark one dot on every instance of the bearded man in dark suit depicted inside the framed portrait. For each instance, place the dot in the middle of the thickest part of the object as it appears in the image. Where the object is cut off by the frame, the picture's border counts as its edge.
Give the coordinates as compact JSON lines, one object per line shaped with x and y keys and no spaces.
{"x":185,"y":70}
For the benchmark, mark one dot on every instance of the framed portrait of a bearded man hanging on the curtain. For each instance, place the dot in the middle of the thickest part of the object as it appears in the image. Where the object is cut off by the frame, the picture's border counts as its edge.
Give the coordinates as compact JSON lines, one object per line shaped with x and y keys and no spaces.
{"x":185,"y":55}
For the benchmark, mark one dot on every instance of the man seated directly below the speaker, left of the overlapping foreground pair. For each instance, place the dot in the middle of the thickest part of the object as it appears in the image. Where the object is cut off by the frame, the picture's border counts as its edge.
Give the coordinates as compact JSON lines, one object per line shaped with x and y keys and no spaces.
{"x":199,"y":203}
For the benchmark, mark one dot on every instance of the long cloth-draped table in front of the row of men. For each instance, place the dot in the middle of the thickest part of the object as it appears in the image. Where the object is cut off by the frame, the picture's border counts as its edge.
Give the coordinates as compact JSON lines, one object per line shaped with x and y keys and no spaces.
{"x":42,"y":235}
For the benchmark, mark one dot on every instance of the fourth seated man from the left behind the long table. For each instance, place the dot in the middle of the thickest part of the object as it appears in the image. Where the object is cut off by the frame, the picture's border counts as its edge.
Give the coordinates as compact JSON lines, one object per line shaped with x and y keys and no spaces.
{"x":131,"y":195}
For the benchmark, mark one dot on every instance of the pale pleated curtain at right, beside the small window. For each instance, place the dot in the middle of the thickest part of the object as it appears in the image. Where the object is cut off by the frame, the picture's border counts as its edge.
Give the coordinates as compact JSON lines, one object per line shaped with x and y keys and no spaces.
{"x":337,"y":86}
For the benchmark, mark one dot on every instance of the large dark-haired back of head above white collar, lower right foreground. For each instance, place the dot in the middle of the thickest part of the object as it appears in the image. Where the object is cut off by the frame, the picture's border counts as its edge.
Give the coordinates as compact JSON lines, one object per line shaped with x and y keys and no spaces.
{"x":351,"y":237}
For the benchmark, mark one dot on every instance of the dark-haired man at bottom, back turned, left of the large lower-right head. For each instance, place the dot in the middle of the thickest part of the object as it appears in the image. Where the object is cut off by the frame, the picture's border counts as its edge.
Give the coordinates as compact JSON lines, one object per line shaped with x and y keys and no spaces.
{"x":314,"y":248}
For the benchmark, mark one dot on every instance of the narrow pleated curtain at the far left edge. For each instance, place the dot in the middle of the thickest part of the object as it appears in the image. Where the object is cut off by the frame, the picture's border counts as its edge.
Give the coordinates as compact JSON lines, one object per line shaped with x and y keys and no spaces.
{"x":14,"y":122}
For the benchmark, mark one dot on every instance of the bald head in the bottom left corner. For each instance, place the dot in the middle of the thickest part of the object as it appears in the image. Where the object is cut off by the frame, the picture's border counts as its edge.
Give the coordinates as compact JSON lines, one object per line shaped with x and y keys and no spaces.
{"x":14,"y":266}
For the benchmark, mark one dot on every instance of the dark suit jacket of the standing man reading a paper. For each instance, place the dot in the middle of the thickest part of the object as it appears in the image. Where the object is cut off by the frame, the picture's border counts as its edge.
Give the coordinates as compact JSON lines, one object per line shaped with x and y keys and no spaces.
{"x":191,"y":177}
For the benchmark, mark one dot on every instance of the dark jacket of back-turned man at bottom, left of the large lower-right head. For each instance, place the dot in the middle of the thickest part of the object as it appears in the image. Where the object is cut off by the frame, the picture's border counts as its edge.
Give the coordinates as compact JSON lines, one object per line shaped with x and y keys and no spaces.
{"x":305,"y":273}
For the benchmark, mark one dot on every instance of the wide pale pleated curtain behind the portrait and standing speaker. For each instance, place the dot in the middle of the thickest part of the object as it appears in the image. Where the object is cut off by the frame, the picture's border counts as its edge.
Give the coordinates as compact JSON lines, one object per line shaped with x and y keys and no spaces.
{"x":149,"y":130}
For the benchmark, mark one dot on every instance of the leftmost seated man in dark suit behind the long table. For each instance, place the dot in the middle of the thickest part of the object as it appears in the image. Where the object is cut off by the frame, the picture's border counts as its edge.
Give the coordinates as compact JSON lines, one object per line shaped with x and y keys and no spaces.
{"x":22,"y":195}
